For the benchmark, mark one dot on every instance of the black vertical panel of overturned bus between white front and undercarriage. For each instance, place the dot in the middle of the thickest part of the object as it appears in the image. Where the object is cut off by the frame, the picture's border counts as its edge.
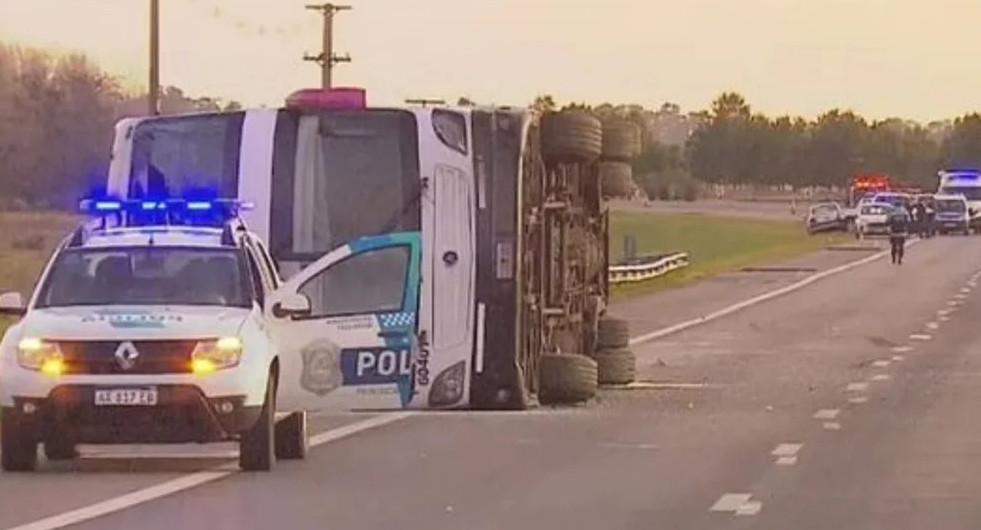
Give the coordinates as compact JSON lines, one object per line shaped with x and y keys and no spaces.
{"x":496,"y":156}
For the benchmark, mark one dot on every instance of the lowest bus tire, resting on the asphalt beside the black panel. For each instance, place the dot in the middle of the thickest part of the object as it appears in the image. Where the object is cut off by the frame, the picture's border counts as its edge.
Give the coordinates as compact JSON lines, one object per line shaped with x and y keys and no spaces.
{"x":567,"y":378}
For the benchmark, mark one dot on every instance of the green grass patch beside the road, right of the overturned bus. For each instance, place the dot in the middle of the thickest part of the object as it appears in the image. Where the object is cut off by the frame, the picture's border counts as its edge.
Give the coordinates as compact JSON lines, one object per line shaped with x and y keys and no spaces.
{"x":715,"y":244}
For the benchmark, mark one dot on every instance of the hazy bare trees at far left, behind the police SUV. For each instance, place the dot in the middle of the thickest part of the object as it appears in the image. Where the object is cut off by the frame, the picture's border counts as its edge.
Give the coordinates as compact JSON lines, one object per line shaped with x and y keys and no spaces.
{"x":56,"y":124}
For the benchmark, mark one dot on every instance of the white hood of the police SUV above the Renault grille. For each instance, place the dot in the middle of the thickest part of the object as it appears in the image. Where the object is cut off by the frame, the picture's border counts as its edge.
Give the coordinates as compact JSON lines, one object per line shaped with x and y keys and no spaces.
{"x":137,"y":322}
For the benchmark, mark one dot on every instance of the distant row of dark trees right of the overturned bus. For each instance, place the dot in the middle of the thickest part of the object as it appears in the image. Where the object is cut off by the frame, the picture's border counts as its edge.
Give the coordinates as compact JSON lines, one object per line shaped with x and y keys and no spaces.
{"x":733,"y":145}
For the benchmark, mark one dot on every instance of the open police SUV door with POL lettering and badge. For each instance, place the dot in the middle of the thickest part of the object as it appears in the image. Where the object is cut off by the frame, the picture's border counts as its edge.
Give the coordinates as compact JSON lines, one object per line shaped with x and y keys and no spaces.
{"x":345,"y":324}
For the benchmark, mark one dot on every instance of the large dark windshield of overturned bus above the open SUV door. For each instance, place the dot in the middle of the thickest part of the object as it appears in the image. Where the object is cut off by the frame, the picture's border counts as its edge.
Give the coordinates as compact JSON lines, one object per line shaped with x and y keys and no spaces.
{"x":342,"y":175}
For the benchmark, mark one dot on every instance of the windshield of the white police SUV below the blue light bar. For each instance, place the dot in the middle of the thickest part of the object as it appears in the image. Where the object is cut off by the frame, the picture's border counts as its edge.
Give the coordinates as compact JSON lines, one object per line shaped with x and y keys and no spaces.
{"x":147,"y":276}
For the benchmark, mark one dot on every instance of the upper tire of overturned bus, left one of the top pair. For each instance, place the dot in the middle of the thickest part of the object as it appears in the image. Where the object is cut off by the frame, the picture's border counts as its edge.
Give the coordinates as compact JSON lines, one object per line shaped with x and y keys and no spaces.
{"x":571,"y":136}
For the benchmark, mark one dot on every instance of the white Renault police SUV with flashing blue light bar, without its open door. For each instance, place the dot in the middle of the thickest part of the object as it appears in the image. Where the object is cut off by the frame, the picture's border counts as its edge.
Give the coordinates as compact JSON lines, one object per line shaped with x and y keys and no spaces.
{"x":150,"y":330}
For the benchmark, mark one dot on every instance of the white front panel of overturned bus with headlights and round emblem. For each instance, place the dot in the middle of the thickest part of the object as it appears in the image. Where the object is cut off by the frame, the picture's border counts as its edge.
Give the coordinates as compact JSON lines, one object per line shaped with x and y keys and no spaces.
{"x":442,"y":366}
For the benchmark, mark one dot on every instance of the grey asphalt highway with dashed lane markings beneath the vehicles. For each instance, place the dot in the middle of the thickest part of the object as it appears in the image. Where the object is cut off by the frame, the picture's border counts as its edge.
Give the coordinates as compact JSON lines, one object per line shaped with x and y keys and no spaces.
{"x":846,"y":404}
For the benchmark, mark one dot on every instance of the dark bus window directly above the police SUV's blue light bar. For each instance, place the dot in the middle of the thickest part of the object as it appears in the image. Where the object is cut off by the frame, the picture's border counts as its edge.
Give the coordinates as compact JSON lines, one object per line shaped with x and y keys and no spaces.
{"x":175,"y":155}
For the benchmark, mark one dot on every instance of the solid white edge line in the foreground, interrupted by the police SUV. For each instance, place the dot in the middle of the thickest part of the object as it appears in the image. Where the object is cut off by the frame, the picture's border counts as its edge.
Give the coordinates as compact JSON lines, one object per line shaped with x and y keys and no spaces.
{"x":190,"y":481}
